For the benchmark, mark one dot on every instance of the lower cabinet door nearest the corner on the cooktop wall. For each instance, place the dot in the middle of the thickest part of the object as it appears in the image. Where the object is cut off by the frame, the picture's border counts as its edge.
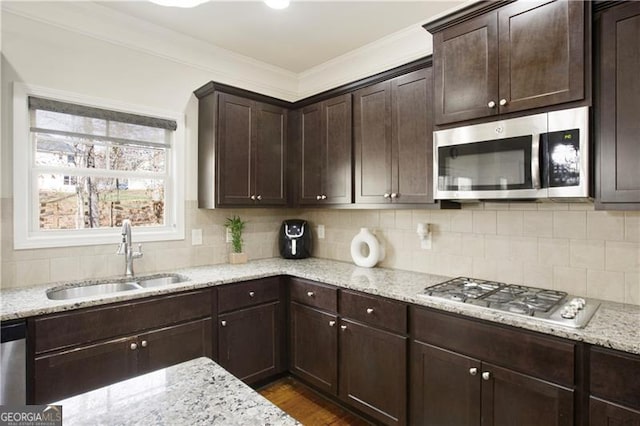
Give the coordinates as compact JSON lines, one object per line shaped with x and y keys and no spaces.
{"x":314,"y":347}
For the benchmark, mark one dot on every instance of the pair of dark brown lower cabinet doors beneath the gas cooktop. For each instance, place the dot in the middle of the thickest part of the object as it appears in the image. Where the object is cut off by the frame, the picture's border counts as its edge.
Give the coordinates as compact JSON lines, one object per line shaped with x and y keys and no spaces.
{"x":448,"y":388}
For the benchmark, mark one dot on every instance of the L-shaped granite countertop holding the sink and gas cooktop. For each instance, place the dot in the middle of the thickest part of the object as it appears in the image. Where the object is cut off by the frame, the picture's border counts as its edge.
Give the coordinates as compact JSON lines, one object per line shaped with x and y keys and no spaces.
{"x":614,"y":325}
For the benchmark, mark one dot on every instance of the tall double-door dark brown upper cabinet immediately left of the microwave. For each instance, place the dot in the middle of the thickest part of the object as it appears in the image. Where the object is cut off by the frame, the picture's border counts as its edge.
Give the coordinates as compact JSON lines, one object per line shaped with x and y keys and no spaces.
{"x":393,"y":140}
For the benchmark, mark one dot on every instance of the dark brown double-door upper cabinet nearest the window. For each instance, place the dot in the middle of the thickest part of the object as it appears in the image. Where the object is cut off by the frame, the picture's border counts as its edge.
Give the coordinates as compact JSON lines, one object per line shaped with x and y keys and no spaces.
{"x":241,"y":152}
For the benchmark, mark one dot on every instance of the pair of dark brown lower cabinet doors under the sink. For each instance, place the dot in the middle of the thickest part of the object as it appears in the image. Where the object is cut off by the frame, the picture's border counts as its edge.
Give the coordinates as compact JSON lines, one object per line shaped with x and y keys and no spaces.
{"x":80,"y":369}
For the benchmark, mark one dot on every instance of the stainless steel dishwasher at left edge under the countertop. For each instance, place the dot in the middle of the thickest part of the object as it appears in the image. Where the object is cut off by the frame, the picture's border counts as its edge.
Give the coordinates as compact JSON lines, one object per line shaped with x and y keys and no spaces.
{"x":13,"y":375}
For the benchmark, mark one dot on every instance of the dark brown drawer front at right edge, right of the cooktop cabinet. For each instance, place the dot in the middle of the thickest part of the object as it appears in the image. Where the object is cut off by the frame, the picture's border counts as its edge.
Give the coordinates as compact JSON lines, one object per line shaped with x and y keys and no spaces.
{"x":615,"y":376}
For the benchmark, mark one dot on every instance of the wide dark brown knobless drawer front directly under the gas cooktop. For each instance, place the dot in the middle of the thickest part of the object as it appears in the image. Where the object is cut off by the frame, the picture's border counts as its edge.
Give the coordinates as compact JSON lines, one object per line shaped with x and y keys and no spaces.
{"x":530,"y":353}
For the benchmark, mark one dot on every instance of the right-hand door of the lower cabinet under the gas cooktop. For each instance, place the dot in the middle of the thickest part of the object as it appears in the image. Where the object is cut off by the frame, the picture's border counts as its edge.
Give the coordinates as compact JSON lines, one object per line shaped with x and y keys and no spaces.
{"x":510,"y":398}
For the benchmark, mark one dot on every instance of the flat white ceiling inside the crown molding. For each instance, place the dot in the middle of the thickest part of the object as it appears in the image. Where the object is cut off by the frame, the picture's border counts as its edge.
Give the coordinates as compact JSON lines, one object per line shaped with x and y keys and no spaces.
{"x":306,"y":34}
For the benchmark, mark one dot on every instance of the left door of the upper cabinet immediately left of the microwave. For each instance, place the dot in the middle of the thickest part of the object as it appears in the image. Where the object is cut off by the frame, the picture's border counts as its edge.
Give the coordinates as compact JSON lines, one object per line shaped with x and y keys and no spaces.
{"x":372,"y":130}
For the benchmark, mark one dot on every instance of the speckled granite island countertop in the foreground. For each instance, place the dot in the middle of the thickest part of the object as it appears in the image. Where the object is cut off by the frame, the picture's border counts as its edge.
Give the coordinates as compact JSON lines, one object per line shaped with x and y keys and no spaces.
{"x":196,"y":392}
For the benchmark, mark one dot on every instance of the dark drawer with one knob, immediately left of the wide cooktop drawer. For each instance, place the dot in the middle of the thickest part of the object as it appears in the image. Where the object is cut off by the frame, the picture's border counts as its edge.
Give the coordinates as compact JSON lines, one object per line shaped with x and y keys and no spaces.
{"x":373,"y":310}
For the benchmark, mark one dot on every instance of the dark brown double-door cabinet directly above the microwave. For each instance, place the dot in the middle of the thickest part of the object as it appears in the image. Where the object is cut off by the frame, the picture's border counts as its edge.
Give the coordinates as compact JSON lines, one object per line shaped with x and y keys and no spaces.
{"x":521,"y":56}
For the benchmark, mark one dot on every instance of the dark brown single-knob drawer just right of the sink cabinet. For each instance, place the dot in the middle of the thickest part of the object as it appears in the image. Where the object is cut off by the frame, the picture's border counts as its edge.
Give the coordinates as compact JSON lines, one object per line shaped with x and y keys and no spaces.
{"x":249,"y":293}
